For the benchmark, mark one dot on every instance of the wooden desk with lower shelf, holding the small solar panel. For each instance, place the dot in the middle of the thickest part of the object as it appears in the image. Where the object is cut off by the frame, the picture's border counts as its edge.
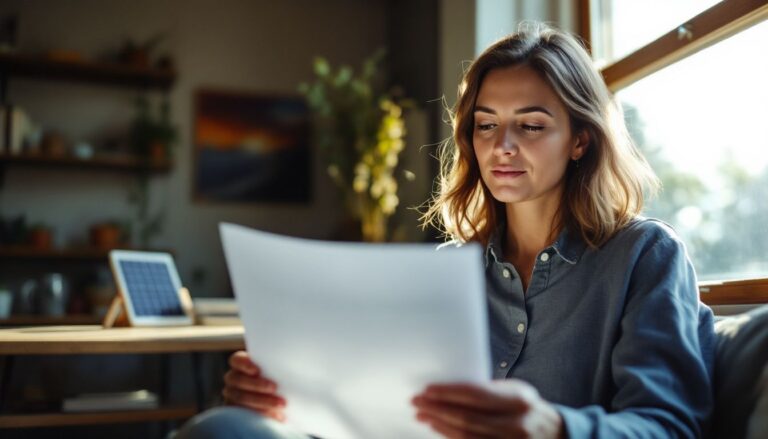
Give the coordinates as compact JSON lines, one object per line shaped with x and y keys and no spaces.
{"x":74,"y":340}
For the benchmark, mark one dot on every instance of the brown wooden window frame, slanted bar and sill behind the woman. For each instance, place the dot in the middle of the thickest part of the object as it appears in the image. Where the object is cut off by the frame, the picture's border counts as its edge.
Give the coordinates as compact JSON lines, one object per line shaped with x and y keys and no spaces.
{"x":703,"y":30}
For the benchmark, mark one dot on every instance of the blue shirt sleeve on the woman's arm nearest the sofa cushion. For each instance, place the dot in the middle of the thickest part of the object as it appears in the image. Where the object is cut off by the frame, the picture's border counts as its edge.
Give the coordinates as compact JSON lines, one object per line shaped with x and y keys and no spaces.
{"x":661,"y":362}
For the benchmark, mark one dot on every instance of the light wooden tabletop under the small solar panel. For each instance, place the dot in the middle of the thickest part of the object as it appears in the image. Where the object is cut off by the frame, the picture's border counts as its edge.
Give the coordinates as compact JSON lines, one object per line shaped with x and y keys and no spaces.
{"x":93,"y":339}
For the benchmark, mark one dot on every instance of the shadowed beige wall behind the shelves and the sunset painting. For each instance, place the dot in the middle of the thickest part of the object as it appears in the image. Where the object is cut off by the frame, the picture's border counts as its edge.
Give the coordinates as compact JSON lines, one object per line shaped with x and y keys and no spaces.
{"x":245,"y":45}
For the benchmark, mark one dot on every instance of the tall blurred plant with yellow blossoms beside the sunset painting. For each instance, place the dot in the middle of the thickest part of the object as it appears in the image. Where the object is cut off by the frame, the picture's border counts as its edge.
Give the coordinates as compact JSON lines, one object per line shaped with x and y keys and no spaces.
{"x":360,"y":132}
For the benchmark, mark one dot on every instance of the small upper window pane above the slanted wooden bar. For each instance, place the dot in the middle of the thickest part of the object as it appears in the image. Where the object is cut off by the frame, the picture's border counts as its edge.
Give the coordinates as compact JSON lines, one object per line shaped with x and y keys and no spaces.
{"x":631,"y":24}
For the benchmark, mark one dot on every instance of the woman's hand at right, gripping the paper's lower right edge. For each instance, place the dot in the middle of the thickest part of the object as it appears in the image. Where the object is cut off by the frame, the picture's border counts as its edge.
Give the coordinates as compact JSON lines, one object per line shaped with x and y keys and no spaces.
{"x":506,"y":408}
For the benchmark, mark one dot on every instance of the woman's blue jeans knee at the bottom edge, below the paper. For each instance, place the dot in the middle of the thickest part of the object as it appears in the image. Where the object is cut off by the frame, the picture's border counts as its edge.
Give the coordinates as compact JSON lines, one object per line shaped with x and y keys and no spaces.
{"x":236,"y":423}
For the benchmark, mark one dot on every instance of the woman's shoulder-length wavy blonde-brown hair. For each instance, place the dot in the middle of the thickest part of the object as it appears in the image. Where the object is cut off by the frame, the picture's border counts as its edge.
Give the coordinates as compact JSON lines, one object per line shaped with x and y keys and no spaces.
{"x":601,"y":195}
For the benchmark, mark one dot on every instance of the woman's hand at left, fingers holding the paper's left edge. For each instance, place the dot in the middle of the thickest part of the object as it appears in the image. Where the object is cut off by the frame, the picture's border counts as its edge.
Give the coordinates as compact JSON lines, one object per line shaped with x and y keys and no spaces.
{"x":245,"y":386}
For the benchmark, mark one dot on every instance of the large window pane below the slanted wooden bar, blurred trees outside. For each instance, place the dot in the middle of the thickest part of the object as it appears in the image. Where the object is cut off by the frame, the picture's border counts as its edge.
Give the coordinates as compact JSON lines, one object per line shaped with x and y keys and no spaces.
{"x":703,"y":125}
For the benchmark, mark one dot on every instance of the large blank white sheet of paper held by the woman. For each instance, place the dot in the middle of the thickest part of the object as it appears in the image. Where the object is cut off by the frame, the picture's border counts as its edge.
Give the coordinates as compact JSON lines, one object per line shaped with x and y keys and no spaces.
{"x":352,"y":331}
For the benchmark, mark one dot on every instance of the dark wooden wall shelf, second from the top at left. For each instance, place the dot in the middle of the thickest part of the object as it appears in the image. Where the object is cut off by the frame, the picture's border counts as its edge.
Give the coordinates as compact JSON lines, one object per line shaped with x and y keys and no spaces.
{"x":118,"y":163}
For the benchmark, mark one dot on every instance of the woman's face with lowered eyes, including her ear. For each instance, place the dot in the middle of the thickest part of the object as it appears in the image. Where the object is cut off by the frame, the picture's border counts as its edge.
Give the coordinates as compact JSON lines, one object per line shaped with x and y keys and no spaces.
{"x":522,"y":136}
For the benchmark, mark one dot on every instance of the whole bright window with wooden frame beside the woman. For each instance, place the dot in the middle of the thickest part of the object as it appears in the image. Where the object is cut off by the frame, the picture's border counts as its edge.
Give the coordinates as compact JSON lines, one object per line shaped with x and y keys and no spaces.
{"x":694,"y":94}
